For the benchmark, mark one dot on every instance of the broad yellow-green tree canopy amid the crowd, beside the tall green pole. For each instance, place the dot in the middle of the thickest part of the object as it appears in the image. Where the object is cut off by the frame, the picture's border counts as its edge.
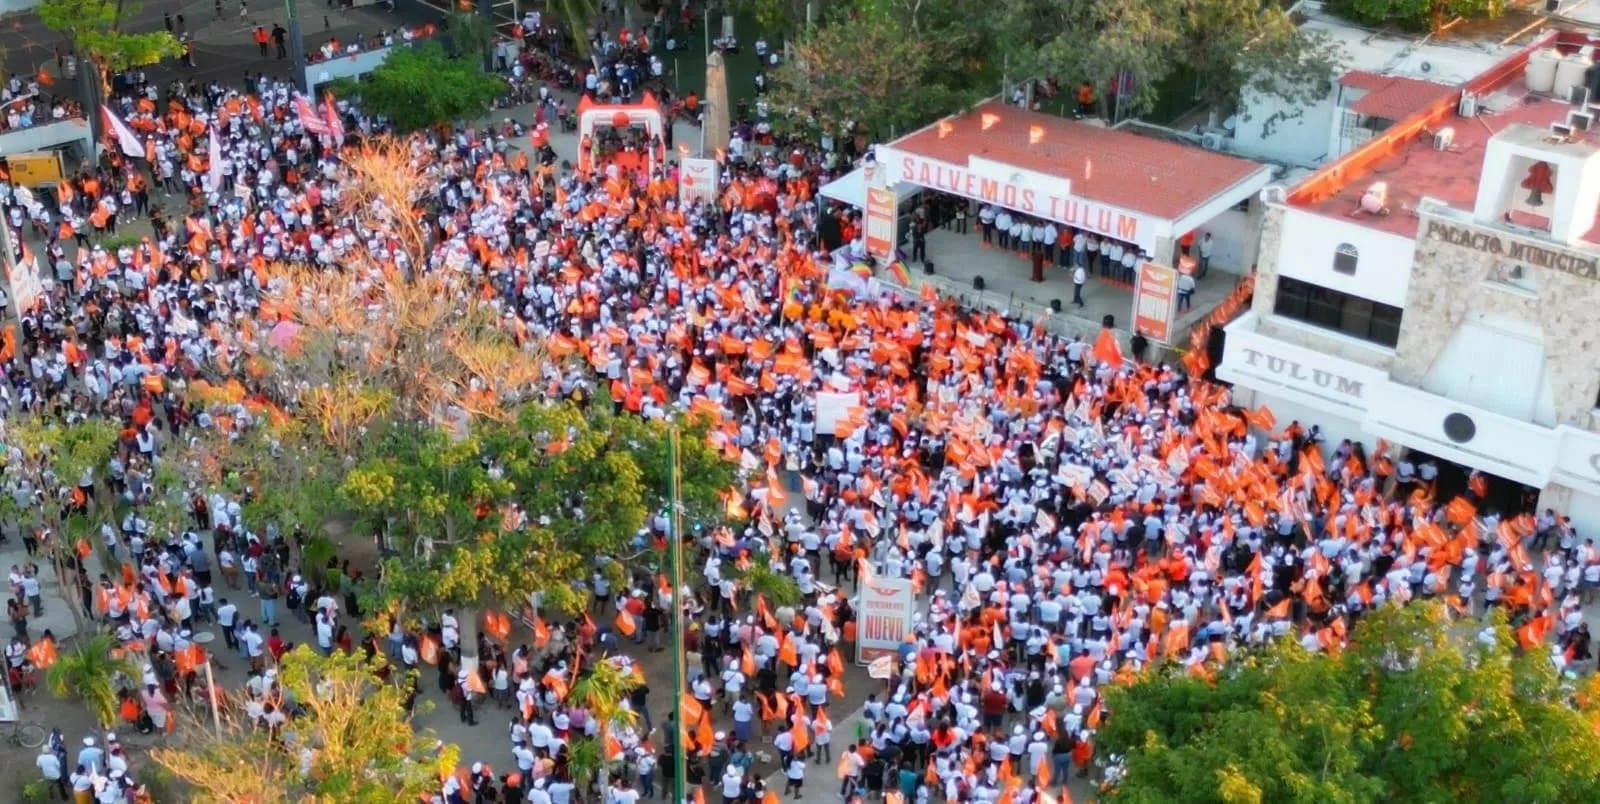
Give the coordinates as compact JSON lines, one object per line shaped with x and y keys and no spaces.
{"x":586,"y":480}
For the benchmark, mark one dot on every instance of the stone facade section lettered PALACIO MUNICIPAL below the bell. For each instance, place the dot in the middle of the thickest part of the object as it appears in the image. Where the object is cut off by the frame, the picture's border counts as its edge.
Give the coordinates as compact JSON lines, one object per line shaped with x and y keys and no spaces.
{"x":1450,"y":283}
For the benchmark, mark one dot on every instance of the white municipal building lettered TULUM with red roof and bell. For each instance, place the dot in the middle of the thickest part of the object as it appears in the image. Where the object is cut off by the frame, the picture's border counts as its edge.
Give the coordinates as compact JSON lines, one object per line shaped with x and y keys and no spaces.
{"x":1439,"y":287}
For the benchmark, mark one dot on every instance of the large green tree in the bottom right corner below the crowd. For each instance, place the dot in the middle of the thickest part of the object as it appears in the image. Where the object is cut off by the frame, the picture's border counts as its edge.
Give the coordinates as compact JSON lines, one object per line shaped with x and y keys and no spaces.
{"x":1414,"y":710}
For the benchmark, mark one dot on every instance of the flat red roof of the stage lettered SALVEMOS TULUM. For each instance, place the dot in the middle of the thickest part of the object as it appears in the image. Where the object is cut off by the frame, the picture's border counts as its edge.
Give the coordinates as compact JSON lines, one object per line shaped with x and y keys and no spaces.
{"x":1122,"y":169}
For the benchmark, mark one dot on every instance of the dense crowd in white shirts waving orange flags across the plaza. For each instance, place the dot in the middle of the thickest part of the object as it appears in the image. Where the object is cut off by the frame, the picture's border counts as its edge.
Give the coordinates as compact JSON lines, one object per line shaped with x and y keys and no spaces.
{"x":1070,"y":518}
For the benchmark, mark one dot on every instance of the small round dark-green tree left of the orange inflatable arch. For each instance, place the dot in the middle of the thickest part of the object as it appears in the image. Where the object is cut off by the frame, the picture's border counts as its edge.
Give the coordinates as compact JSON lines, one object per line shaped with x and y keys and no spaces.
{"x":423,"y":87}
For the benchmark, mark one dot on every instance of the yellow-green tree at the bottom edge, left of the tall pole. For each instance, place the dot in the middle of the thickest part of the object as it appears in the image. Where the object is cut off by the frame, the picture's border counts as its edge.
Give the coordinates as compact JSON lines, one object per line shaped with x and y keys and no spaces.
{"x":356,"y":726}
